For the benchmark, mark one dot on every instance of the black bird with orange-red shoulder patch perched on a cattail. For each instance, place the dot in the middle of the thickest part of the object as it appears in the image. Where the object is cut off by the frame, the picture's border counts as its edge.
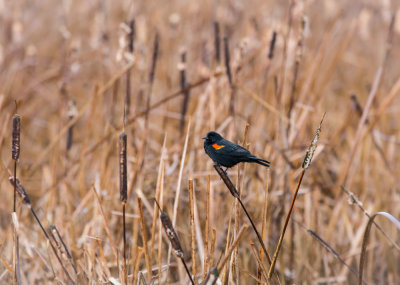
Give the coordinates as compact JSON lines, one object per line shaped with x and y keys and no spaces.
{"x":226,"y":153}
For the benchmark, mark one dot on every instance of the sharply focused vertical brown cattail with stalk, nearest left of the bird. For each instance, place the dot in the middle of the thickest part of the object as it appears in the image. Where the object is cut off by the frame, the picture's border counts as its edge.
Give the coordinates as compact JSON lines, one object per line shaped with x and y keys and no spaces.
{"x":123,"y":186}
